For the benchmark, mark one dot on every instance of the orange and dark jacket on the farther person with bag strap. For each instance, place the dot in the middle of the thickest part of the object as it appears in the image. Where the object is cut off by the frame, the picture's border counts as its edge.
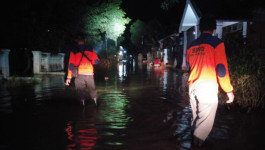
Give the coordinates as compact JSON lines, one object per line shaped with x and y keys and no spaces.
{"x":86,"y":66}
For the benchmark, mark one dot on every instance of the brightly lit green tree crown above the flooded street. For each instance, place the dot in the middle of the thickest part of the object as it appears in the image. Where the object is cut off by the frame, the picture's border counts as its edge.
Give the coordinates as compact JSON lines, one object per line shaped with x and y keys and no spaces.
{"x":105,"y":20}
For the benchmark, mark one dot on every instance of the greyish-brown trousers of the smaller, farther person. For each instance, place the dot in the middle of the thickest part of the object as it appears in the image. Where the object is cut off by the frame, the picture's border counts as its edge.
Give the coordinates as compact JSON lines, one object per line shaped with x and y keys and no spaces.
{"x":83,"y":82}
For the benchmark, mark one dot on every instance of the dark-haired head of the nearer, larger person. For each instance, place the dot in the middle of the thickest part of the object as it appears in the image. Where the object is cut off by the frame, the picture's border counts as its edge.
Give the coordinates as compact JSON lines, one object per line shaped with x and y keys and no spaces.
{"x":207,"y":23}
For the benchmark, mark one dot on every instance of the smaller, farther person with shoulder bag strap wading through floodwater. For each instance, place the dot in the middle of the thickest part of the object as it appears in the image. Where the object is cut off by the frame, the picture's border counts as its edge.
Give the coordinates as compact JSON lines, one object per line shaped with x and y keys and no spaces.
{"x":84,"y":57}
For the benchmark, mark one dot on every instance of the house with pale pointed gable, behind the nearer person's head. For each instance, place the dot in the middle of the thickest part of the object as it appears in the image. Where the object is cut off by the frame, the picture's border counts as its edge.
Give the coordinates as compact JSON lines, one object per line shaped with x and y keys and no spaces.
{"x":232,"y":17}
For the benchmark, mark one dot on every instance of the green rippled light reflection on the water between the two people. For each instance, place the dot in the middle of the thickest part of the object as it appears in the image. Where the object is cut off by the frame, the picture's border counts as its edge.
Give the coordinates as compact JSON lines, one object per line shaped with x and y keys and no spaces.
{"x":112,"y":119}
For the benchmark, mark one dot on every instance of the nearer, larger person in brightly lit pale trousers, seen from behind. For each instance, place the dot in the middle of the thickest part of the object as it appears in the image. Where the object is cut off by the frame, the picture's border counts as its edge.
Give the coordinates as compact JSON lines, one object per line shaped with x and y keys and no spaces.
{"x":208,"y":69}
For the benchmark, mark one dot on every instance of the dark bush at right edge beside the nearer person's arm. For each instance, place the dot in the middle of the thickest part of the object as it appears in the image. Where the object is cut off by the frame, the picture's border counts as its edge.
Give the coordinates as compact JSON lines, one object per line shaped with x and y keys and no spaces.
{"x":247,"y":70}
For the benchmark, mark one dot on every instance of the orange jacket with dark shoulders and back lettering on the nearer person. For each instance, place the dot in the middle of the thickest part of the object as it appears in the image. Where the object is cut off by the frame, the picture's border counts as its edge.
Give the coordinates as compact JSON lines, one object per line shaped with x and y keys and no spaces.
{"x":207,"y":62}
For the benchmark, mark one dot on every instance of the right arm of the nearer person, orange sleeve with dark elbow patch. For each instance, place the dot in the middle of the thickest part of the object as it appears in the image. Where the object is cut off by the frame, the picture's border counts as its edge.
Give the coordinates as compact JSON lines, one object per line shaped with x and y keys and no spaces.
{"x":223,"y":72}
